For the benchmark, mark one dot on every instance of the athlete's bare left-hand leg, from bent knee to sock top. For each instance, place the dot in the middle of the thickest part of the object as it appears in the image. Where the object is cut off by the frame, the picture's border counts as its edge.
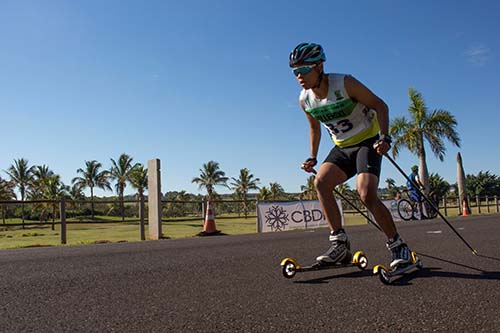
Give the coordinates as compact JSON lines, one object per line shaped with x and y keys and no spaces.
{"x":328,"y":177}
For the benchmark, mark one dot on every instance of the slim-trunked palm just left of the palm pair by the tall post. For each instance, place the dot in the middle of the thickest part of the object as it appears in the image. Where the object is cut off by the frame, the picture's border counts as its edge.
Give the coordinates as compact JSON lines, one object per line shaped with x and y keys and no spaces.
{"x":91,"y":177}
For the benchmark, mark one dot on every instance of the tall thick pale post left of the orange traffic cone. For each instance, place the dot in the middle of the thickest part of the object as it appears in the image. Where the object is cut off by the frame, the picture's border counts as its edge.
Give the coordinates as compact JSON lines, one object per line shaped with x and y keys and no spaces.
{"x":154,"y":199}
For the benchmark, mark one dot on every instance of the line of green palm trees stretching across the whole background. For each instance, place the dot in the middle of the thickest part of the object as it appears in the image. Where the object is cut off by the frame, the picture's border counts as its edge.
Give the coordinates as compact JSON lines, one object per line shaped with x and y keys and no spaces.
{"x":414,"y":132}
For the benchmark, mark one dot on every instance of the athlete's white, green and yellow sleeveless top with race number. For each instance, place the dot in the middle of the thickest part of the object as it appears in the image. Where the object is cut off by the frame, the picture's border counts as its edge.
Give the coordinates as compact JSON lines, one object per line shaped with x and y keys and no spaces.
{"x":348,"y":121}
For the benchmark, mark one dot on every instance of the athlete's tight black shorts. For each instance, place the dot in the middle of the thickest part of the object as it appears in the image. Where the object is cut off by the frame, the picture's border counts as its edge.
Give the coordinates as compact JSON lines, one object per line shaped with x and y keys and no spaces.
{"x":357,"y":159}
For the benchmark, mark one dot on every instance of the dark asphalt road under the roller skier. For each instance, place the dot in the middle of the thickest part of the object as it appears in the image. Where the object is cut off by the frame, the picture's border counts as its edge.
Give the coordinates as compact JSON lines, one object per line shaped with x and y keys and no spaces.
{"x":234,"y":283}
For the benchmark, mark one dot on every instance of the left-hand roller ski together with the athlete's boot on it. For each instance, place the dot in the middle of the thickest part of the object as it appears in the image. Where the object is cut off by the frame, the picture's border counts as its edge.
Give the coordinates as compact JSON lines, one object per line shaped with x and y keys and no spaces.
{"x":337,"y":256}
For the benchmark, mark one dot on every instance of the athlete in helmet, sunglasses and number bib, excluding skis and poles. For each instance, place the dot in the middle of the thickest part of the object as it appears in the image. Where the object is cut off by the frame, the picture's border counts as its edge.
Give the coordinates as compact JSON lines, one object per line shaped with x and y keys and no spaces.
{"x":357,"y":121}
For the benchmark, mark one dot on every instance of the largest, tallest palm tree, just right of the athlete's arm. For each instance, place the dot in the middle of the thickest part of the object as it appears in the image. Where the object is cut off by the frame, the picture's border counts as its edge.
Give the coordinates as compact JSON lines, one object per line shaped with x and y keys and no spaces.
{"x":423,"y":126}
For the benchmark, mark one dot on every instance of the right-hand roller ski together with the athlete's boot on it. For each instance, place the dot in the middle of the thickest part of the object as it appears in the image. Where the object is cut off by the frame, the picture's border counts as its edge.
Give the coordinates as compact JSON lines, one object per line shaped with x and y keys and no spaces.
{"x":403,"y":261}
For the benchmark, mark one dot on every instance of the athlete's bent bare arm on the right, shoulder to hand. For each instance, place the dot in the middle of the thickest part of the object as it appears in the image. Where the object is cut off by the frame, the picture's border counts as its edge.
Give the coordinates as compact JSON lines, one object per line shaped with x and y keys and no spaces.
{"x":362,"y":94}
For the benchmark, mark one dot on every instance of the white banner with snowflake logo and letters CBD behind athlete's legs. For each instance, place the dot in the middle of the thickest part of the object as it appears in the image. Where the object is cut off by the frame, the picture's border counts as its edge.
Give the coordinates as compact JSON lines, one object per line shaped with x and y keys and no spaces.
{"x":280,"y":216}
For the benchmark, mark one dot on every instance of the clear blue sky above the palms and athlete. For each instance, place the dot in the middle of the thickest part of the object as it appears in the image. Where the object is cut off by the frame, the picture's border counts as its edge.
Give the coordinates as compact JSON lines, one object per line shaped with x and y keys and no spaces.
{"x":192,"y":81}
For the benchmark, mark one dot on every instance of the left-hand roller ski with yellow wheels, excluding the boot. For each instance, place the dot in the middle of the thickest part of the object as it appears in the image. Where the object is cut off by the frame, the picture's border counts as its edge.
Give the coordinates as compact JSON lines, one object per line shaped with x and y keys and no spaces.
{"x":290,"y":266}
